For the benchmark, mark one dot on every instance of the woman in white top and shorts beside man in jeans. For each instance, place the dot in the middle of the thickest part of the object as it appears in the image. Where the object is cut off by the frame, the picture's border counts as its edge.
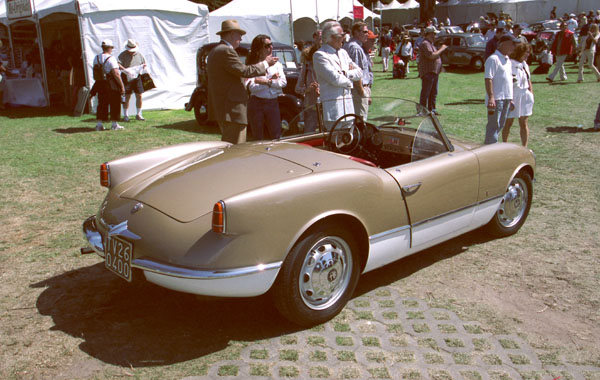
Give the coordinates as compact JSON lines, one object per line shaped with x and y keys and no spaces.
{"x":522,"y":93}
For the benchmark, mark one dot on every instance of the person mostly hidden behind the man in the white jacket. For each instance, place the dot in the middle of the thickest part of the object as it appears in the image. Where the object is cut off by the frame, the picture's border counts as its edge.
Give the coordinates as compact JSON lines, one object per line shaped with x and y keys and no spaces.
{"x":308,"y":86}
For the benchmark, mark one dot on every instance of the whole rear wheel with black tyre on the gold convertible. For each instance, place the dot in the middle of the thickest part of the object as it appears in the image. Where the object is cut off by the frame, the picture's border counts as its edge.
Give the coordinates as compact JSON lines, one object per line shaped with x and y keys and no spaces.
{"x":318,"y":277}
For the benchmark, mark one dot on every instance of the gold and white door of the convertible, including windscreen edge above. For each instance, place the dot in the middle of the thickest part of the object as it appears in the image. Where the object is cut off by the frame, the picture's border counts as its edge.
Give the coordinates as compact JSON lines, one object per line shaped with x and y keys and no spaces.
{"x":439,"y":185}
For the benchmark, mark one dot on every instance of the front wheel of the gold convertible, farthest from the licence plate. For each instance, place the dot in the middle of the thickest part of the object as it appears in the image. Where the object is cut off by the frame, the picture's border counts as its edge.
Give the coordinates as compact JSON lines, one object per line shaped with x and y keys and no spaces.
{"x":514,"y":207}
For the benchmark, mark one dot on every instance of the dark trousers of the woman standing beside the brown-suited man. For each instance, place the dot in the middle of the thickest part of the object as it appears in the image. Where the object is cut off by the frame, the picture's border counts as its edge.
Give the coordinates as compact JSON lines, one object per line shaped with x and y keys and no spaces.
{"x":263,"y":114}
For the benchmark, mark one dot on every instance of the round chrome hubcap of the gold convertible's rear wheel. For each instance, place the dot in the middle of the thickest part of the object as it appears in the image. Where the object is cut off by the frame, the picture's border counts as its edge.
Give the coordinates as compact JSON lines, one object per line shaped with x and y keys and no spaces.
{"x":325,"y":274}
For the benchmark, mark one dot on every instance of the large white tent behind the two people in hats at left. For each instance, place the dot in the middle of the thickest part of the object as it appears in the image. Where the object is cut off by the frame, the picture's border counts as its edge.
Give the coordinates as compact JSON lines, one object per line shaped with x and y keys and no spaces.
{"x":168,"y":33}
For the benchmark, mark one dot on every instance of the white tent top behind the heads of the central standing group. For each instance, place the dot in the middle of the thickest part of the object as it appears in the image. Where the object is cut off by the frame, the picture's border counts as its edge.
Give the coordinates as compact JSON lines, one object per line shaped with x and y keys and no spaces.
{"x":273,"y":17}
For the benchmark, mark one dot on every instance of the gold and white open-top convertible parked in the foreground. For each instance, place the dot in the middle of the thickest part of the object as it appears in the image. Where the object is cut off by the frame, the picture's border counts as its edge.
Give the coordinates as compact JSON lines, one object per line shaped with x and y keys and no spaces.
{"x":302,"y":217}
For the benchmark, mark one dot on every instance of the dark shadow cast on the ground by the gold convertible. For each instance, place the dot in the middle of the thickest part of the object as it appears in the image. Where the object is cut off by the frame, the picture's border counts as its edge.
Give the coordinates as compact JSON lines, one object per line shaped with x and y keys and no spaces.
{"x":143,"y":325}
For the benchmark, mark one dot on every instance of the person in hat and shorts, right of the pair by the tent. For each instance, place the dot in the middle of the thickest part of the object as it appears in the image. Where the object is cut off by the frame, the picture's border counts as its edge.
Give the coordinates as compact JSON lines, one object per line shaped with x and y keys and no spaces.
{"x":133,"y":60}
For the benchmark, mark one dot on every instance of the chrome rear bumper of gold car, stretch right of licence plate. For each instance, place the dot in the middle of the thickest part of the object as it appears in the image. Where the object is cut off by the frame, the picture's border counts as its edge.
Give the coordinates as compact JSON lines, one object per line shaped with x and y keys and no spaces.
{"x":181,"y":272}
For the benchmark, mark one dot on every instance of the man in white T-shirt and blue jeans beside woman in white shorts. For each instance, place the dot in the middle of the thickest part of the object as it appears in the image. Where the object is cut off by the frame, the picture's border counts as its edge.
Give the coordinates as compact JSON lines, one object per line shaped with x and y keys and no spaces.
{"x":499,"y":87}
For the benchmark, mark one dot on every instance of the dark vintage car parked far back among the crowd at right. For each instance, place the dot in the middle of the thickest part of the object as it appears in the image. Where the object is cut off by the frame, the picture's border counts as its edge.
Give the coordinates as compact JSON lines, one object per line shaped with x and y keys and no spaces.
{"x":464,"y":49}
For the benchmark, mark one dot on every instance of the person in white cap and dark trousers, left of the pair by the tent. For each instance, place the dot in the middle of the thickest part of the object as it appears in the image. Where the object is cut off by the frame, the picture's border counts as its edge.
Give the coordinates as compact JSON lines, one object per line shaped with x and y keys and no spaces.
{"x":108,"y":86}
